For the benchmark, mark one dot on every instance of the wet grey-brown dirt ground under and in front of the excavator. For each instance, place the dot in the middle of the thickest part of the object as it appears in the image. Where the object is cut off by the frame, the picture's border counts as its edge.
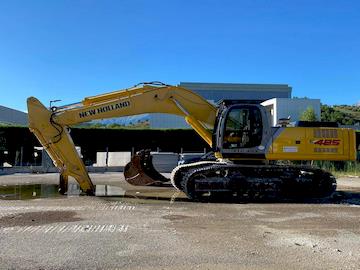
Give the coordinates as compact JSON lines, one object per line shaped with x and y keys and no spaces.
{"x":126,"y":227}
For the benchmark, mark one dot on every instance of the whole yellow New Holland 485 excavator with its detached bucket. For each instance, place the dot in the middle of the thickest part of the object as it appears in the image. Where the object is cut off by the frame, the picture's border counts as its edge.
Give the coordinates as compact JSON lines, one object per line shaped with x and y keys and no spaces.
{"x":247,"y":148}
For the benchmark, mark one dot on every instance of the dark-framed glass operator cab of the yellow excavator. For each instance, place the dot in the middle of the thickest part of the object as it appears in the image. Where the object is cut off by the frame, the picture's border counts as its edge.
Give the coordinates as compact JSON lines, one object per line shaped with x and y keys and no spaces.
{"x":241,"y":130}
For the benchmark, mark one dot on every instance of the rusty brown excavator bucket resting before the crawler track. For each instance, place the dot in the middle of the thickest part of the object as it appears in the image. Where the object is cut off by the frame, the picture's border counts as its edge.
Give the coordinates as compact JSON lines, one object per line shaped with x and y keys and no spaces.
{"x":140,"y":171}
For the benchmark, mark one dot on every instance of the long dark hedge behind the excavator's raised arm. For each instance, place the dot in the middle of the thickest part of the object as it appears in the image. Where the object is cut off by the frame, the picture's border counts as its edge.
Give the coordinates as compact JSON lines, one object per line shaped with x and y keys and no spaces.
{"x":19,"y":147}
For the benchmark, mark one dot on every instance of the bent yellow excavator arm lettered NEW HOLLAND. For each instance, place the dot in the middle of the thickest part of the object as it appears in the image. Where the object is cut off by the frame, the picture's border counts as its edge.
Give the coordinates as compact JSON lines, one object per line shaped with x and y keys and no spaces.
{"x":50,"y":126}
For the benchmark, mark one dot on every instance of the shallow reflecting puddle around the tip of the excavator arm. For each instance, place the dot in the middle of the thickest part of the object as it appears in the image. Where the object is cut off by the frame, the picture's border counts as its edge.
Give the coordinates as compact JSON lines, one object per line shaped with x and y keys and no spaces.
{"x":35,"y":191}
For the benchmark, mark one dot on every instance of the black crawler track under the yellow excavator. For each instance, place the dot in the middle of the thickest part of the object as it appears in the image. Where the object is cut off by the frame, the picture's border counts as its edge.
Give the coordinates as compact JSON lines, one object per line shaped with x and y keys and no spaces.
{"x":252,"y":181}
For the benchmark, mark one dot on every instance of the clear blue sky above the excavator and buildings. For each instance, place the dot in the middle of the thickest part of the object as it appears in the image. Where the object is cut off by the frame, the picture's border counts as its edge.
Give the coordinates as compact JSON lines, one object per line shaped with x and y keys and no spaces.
{"x":55,"y":49}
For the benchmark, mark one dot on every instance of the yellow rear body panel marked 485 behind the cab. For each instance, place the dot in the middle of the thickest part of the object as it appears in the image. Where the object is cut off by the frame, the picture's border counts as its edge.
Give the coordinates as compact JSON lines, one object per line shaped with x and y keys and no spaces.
{"x":320,"y":143}
